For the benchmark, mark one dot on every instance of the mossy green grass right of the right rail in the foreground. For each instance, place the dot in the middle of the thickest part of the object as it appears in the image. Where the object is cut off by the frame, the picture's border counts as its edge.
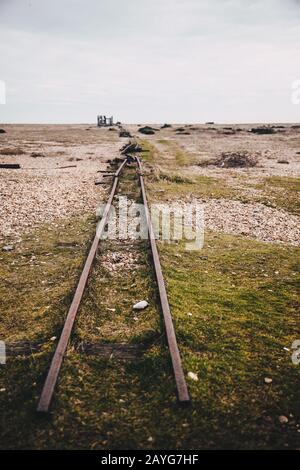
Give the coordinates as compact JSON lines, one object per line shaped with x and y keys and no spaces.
{"x":243,"y":298}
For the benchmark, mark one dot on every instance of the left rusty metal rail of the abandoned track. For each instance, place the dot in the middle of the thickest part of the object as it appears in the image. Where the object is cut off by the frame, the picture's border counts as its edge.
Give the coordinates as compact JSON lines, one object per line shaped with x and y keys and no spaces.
{"x":49,"y":385}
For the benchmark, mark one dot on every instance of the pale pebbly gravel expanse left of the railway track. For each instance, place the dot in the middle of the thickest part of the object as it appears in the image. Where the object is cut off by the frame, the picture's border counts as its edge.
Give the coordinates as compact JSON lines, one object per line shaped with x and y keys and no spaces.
{"x":43,"y":192}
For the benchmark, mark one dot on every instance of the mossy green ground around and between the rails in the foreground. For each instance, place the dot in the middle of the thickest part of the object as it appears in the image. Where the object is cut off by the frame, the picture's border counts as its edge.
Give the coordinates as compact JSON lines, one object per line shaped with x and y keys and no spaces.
{"x":235,"y":308}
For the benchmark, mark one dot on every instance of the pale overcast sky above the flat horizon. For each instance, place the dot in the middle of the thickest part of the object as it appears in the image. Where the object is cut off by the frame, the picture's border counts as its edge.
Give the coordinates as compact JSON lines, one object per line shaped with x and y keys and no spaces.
{"x":149,"y":61}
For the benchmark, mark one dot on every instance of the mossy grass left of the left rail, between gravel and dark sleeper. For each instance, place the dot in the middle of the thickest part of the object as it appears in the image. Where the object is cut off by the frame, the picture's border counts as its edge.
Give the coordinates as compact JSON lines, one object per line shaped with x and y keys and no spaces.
{"x":37,"y":278}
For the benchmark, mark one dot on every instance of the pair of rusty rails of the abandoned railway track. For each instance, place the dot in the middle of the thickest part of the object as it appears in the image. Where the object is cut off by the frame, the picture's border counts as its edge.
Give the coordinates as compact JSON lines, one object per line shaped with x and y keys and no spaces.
{"x":57,"y":359}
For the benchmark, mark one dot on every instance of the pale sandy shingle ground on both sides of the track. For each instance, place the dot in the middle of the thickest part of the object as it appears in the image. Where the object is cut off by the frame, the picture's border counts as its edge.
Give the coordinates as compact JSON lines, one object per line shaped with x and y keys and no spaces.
{"x":43,"y":191}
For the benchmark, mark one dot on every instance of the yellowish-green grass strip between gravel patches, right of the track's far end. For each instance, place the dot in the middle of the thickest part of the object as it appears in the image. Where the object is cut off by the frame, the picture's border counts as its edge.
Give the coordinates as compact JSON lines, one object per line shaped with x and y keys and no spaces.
{"x":169,"y":176}
